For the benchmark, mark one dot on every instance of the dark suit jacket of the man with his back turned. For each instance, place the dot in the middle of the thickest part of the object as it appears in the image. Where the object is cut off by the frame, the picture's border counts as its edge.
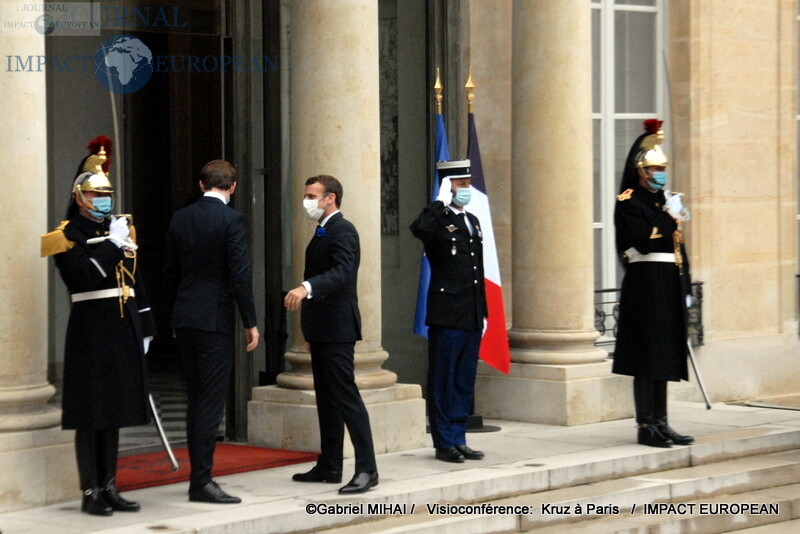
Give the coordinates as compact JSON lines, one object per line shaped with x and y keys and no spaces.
{"x":207,"y":267}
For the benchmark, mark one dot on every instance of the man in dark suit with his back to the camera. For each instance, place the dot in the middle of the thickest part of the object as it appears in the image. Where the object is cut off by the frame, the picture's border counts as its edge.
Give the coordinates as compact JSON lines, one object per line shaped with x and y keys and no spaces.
{"x":206,"y":269}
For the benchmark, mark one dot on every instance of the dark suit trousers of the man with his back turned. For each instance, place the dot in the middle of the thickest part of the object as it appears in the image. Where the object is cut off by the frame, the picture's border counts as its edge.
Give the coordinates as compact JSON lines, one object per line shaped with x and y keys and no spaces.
{"x":207,"y":362}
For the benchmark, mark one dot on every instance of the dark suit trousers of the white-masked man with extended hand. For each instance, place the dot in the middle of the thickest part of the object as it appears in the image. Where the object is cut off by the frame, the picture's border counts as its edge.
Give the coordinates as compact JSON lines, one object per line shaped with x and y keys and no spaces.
{"x":339,"y":404}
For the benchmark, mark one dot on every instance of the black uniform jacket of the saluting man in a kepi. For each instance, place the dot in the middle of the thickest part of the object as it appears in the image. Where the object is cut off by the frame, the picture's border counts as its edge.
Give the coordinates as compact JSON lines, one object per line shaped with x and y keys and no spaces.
{"x":456,"y":294}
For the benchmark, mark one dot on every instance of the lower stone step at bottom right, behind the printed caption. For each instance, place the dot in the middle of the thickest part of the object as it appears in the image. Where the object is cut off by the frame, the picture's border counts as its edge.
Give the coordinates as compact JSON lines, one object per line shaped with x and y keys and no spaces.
{"x":706,"y":498}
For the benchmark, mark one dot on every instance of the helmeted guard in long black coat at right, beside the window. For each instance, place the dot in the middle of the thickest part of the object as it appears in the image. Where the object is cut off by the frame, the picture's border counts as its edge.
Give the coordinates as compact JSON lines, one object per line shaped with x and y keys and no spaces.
{"x":656,"y":290}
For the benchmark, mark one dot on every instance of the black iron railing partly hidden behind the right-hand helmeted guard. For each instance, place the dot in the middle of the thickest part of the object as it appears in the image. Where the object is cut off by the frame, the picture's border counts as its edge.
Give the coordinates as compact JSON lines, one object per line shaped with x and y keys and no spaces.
{"x":606,"y":315}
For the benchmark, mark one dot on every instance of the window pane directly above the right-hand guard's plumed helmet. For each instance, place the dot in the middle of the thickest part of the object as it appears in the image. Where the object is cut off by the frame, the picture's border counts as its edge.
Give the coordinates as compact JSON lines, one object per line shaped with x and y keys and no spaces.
{"x":635,"y":62}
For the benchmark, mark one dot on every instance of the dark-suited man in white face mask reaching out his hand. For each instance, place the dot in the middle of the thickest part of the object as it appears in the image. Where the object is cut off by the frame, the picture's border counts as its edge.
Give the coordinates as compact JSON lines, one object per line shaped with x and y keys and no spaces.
{"x":331,"y":325}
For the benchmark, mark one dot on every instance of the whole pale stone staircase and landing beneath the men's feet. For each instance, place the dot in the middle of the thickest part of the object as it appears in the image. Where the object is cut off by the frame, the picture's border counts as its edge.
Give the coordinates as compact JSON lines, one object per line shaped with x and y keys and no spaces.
{"x":743,"y":456}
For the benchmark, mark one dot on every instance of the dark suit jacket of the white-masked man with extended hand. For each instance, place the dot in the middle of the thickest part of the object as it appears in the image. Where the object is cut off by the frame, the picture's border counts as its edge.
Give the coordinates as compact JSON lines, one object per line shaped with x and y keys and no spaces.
{"x":332,"y":260}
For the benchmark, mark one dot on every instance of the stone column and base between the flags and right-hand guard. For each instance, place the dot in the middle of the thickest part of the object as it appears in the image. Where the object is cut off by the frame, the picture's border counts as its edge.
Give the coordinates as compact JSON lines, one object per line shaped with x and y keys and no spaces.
{"x":558,"y":376}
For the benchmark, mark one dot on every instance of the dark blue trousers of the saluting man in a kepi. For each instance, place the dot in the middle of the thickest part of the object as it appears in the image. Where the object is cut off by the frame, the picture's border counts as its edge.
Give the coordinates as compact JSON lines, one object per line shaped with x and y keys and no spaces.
{"x":452,"y":365}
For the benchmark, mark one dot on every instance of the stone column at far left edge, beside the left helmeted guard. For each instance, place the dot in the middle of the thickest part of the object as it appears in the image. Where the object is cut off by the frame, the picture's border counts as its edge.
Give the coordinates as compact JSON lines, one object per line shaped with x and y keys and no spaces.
{"x":36,"y":457}
